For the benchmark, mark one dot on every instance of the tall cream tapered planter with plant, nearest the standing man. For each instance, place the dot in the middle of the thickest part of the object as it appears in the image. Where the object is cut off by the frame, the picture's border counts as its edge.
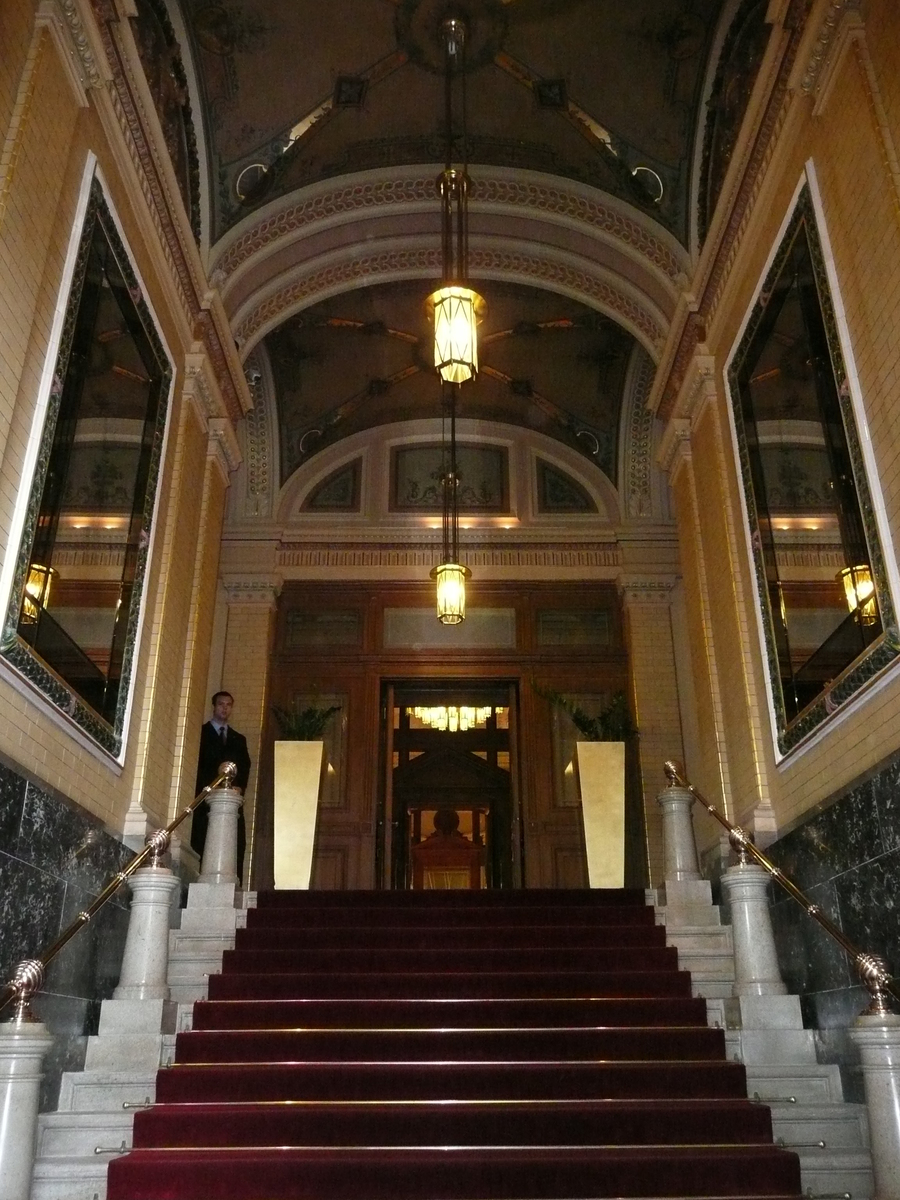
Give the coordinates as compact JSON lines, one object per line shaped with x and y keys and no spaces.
{"x":299,"y":757}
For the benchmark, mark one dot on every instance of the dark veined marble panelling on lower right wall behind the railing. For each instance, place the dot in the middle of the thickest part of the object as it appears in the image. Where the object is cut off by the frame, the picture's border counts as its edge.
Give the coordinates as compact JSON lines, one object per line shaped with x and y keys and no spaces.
{"x":847,"y":859}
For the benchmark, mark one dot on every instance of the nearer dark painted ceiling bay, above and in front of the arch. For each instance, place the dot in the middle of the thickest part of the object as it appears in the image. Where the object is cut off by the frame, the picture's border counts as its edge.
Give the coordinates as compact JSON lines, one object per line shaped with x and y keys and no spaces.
{"x":598,"y":91}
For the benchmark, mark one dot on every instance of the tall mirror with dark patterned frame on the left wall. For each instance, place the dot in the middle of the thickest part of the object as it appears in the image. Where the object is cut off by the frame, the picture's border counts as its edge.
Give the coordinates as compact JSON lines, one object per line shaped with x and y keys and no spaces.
{"x":75,"y":605}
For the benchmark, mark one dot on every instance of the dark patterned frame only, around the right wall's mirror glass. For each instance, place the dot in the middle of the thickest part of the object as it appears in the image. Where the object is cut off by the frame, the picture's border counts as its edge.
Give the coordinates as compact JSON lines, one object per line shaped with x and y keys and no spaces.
{"x":886,"y":649}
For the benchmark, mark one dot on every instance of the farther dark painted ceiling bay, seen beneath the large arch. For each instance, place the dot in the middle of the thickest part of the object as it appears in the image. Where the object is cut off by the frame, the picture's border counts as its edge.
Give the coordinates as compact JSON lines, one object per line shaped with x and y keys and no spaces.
{"x":362,"y":359}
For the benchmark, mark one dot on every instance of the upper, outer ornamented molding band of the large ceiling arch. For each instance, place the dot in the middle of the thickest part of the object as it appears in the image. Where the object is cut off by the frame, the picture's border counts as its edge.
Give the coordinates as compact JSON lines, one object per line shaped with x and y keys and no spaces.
{"x":523,"y":194}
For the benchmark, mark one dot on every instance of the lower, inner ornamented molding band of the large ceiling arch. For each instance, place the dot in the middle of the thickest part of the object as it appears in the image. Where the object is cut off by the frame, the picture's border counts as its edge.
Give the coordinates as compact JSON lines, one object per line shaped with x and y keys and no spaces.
{"x":525,"y":266}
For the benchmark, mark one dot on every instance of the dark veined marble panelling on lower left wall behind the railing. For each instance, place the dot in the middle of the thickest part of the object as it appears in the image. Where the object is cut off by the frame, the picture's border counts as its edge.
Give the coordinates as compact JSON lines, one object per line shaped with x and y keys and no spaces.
{"x":55,"y":861}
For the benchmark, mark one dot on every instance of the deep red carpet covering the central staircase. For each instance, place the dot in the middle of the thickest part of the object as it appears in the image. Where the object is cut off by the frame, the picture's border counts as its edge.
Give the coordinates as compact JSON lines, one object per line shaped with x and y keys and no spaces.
{"x":452,"y":1047}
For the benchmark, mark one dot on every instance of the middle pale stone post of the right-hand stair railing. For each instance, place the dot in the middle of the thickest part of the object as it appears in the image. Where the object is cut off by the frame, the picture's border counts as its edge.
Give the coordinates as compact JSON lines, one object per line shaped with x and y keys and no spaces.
{"x":757,"y":970}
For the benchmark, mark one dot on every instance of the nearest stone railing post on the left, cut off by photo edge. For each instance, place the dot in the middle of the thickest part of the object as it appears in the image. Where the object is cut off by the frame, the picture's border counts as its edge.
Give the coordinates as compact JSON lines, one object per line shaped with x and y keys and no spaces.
{"x":23,"y":1047}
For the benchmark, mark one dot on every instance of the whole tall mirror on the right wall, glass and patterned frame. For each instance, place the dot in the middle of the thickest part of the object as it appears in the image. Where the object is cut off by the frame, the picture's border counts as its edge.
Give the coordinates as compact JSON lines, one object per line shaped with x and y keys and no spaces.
{"x":819,"y":562}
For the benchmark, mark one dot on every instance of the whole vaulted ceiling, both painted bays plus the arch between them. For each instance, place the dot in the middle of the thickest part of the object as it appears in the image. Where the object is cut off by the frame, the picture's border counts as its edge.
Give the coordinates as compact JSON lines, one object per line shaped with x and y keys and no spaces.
{"x":323,"y":130}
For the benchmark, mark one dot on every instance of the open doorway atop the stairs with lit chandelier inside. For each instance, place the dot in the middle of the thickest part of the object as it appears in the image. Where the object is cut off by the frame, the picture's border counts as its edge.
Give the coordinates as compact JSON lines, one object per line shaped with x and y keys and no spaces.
{"x":451,"y":749}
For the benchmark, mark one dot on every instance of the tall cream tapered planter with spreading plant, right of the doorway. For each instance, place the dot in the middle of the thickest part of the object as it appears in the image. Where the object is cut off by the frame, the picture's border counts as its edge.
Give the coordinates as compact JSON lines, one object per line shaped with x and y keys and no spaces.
{"x":601,"y":759}
